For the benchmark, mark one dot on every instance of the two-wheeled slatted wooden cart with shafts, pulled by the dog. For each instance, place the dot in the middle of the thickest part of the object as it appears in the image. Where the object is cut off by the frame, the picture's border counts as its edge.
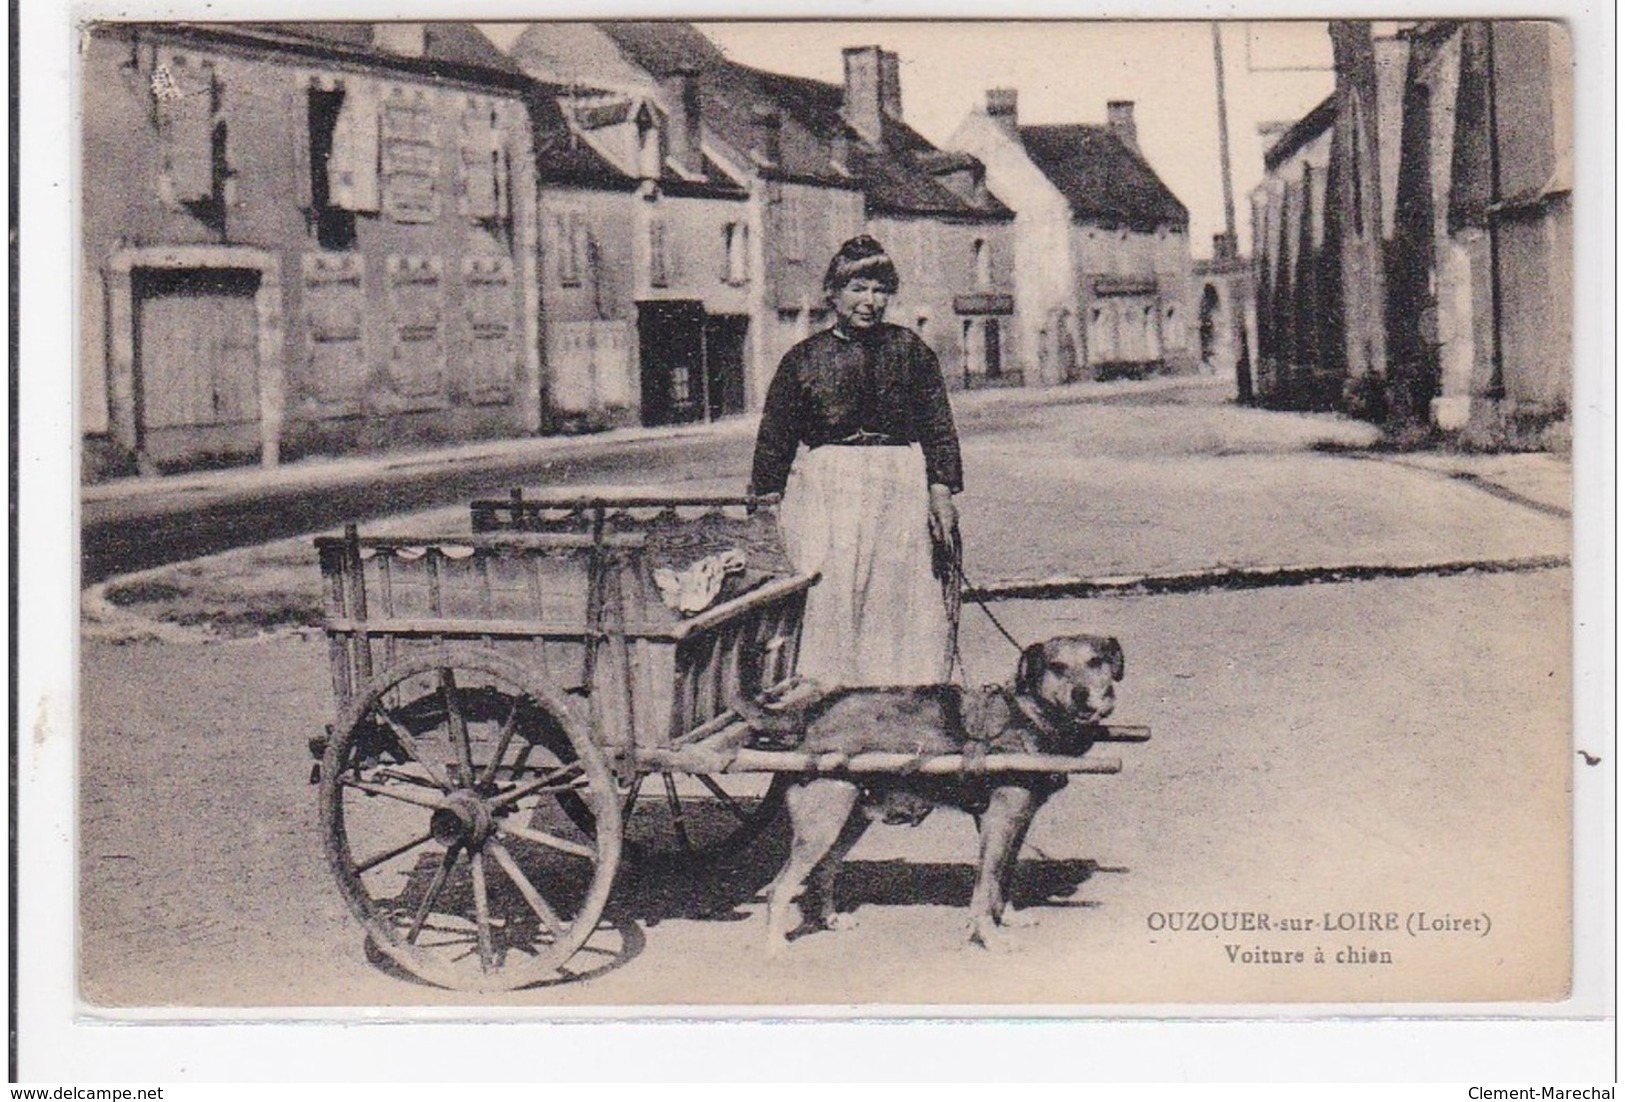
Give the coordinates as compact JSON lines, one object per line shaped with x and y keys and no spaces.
{"x":508,"y":701}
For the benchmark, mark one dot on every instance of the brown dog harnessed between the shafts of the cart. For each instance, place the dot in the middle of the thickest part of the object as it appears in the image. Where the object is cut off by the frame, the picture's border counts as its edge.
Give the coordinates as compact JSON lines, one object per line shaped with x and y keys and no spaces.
{"x":1062,"y":692}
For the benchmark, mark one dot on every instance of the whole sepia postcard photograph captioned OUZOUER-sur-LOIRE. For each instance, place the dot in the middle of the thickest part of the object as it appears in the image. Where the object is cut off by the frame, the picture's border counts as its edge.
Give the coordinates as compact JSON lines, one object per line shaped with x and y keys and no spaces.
{"x":981,"y":516}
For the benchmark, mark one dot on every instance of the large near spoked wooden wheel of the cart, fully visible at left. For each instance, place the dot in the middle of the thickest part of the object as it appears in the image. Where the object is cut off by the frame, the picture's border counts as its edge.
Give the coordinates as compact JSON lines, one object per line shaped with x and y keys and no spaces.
{"x":448,"y":810}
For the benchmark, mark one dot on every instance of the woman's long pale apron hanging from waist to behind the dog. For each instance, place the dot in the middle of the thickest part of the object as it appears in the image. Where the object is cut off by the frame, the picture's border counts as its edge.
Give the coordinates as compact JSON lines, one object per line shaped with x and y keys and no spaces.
{"x":857,"y":516}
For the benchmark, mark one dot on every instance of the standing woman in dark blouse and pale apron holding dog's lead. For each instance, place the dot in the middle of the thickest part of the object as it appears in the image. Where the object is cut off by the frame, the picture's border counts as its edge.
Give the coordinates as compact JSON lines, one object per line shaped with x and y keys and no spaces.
{"x":875,"y":493}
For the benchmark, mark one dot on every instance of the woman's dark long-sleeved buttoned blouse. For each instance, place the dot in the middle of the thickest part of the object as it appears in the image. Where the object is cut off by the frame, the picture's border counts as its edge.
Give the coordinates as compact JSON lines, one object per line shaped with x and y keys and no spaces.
{"x":831,"y":386}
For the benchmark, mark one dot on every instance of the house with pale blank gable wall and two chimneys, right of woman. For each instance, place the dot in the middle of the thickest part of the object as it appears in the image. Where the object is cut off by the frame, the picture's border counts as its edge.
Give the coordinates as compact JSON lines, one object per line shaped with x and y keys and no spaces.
{"x":1103,"y":246}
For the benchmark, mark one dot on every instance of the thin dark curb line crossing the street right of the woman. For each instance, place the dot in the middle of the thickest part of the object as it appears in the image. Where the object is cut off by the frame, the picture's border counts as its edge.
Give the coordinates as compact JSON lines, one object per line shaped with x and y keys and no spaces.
{"x":1246,"y":578}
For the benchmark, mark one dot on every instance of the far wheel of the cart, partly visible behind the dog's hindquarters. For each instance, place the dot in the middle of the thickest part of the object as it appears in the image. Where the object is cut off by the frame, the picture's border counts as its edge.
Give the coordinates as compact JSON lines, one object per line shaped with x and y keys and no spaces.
{"x":696,"y":817}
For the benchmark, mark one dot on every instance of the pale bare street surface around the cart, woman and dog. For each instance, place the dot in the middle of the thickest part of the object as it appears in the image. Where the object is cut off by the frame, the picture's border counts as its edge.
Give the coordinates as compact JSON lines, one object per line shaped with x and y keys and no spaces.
{"x":1389,"y":745}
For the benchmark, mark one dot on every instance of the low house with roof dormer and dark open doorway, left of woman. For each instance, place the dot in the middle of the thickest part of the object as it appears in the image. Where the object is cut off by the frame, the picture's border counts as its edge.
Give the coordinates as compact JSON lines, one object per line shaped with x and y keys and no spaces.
{"x":646,"y":262}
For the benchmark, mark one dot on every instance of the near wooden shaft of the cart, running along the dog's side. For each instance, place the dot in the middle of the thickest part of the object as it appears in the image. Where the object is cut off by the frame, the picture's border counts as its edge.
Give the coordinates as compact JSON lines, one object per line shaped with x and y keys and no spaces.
{"x":703,"y":760}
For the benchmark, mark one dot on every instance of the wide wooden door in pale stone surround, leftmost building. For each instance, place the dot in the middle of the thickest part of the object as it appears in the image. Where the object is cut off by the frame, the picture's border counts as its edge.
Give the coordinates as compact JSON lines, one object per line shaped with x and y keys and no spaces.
{"x":197,"y":363}
